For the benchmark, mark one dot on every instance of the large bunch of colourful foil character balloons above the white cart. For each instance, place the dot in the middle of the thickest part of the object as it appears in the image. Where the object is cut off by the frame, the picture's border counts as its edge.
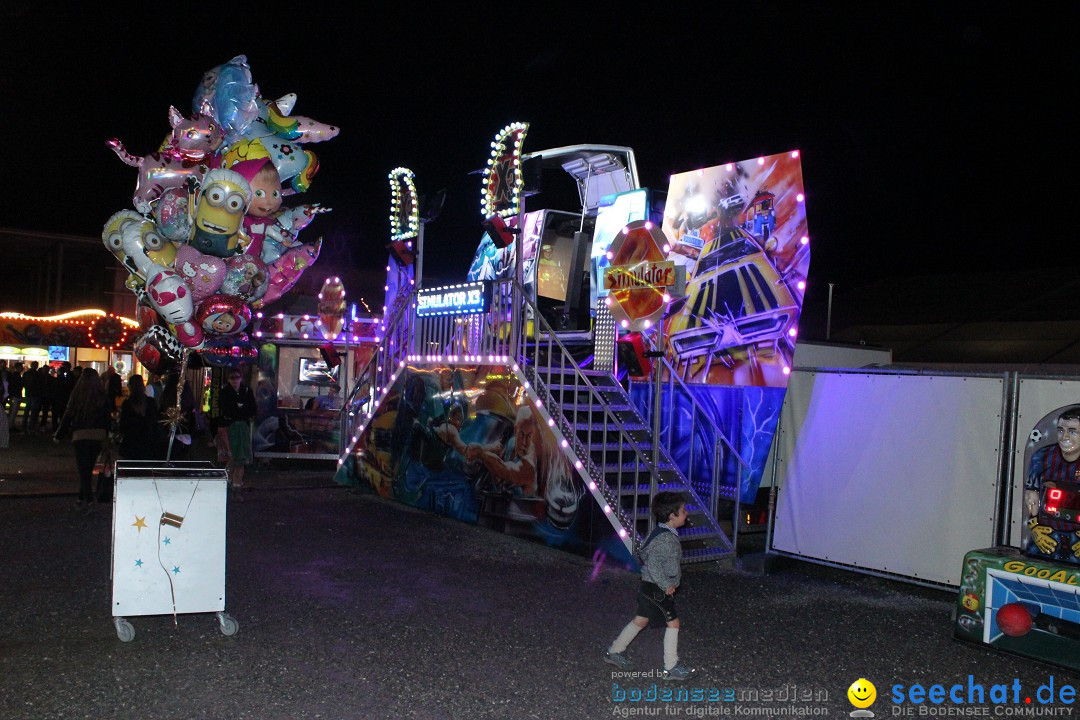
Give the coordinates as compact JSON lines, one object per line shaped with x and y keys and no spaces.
{"x":211,"y":240}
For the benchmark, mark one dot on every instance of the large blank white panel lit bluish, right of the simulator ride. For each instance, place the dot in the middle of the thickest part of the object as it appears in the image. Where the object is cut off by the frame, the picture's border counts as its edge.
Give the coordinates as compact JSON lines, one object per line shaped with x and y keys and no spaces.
{"x":893,"y":473}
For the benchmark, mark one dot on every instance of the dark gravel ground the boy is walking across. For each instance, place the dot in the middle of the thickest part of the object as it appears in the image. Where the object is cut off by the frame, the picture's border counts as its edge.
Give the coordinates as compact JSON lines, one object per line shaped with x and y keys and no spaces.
{"x":353,"y":607}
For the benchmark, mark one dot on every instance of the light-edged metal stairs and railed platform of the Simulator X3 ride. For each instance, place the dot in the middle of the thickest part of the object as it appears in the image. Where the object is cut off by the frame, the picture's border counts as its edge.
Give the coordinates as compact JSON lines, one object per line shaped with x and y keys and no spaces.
{"x":595,"y":422}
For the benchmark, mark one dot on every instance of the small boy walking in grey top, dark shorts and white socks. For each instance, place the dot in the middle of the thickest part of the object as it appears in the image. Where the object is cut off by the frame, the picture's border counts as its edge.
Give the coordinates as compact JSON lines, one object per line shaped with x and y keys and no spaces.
{"x":661,"y":572}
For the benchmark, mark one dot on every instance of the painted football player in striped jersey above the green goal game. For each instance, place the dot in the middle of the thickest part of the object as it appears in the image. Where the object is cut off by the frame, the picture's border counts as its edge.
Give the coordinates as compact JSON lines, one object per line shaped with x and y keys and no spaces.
{"x":1051,"y":466}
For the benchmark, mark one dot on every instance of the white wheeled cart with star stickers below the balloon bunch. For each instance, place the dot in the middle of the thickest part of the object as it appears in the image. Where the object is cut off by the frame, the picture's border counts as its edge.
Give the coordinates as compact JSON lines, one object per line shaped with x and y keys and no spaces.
{"x":169,"y":542}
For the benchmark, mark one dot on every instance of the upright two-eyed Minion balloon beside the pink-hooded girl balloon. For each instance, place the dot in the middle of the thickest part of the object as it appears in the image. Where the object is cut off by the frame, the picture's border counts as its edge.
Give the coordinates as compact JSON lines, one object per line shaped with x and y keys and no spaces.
{"x":223,"y":202}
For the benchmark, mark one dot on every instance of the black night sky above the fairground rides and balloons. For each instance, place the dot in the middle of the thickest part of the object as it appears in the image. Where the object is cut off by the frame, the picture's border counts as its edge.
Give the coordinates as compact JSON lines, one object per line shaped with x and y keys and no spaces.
{"x":936,"y":138}
